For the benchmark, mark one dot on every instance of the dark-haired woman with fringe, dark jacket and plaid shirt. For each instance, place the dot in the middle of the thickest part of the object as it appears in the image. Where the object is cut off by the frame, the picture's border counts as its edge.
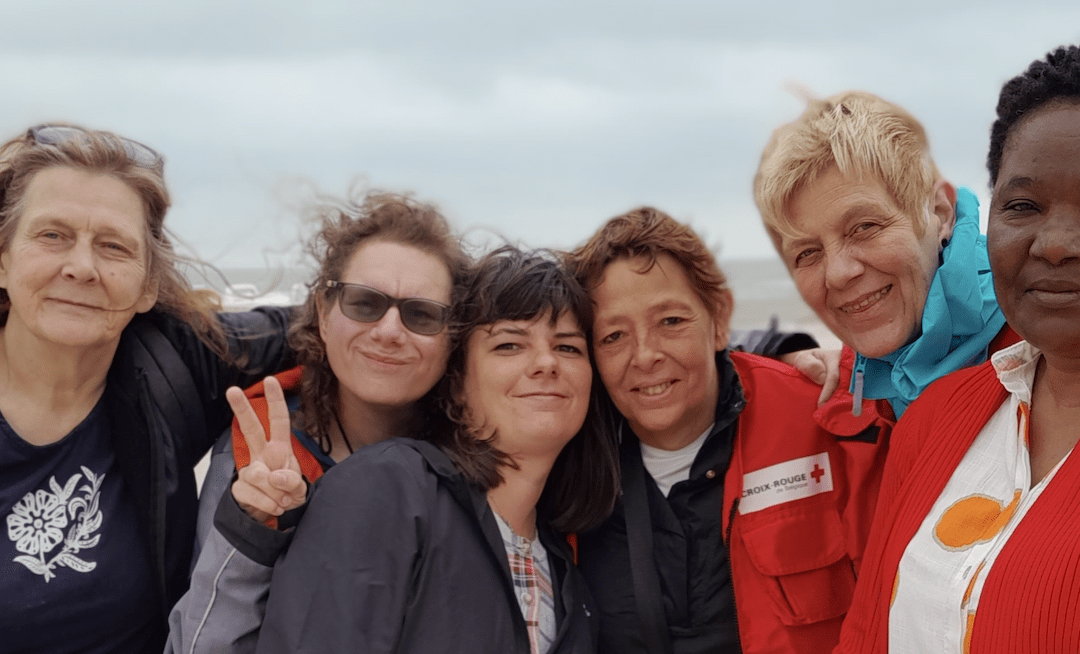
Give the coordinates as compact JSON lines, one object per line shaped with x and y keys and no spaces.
{"x":452,"y":541}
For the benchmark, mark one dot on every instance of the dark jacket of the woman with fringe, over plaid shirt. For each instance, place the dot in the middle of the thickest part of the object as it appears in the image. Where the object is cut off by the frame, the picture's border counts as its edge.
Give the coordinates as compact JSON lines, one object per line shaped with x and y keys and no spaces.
{"x":398,"y":553}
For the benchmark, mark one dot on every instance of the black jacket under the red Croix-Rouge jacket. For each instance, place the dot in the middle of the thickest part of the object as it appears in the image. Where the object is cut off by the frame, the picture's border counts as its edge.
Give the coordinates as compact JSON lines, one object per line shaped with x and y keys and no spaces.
{"x":690,"y":553}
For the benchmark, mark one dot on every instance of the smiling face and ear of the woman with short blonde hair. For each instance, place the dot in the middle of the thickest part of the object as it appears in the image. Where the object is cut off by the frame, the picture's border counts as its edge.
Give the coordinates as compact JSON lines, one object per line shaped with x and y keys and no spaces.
{"x":860,"y":263}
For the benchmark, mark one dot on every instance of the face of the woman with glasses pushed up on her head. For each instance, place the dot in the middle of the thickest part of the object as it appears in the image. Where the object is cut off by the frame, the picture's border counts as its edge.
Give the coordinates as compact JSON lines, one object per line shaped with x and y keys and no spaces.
{"x":76,"y":266}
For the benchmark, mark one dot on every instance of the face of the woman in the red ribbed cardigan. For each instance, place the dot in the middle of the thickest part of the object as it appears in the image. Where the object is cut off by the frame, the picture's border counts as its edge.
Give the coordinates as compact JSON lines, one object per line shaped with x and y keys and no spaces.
{"x":1034,"y":233}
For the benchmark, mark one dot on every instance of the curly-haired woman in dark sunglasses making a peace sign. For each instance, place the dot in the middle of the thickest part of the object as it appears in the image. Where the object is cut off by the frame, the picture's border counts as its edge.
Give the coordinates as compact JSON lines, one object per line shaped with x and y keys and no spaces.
{"x":372,"y":342}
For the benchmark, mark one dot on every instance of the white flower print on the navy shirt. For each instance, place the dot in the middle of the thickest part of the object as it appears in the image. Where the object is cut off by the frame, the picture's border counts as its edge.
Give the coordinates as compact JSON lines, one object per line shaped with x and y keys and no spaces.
{"x":37,"y":523}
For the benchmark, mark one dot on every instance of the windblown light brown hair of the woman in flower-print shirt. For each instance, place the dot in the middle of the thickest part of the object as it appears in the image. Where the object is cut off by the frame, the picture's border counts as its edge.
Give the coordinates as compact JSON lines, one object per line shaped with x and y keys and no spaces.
{"x":104,"y":153}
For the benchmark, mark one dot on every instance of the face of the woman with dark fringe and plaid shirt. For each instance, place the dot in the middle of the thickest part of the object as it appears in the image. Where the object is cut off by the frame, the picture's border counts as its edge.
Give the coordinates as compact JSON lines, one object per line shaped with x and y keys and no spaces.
{"x":529,"y":383}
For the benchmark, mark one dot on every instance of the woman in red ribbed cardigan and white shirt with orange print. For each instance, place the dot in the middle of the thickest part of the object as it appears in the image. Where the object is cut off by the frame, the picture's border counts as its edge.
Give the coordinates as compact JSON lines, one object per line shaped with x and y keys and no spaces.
{"x":976,"y":547}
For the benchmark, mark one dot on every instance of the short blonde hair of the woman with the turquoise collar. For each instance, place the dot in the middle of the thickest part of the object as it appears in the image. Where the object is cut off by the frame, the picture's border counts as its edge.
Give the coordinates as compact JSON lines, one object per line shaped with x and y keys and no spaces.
{"x":860,"y":134}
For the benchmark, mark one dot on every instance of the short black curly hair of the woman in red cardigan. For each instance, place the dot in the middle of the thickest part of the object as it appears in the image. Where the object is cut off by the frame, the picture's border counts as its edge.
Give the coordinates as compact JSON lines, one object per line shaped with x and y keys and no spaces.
{"x":1050,"y":80}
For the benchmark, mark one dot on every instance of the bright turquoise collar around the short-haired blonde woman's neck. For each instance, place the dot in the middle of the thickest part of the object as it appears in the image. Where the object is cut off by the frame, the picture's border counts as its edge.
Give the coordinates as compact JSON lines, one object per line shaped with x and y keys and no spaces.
{"x":960,"y":321}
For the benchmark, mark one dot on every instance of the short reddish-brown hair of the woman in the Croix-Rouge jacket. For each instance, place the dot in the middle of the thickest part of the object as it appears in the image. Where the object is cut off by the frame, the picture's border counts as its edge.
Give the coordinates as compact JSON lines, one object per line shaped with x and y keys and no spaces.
{"x":647,"y":233}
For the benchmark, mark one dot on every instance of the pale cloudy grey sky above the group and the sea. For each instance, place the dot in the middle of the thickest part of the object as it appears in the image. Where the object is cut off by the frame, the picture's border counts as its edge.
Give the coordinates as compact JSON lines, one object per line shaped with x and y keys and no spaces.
{"x":538,"y":120}
